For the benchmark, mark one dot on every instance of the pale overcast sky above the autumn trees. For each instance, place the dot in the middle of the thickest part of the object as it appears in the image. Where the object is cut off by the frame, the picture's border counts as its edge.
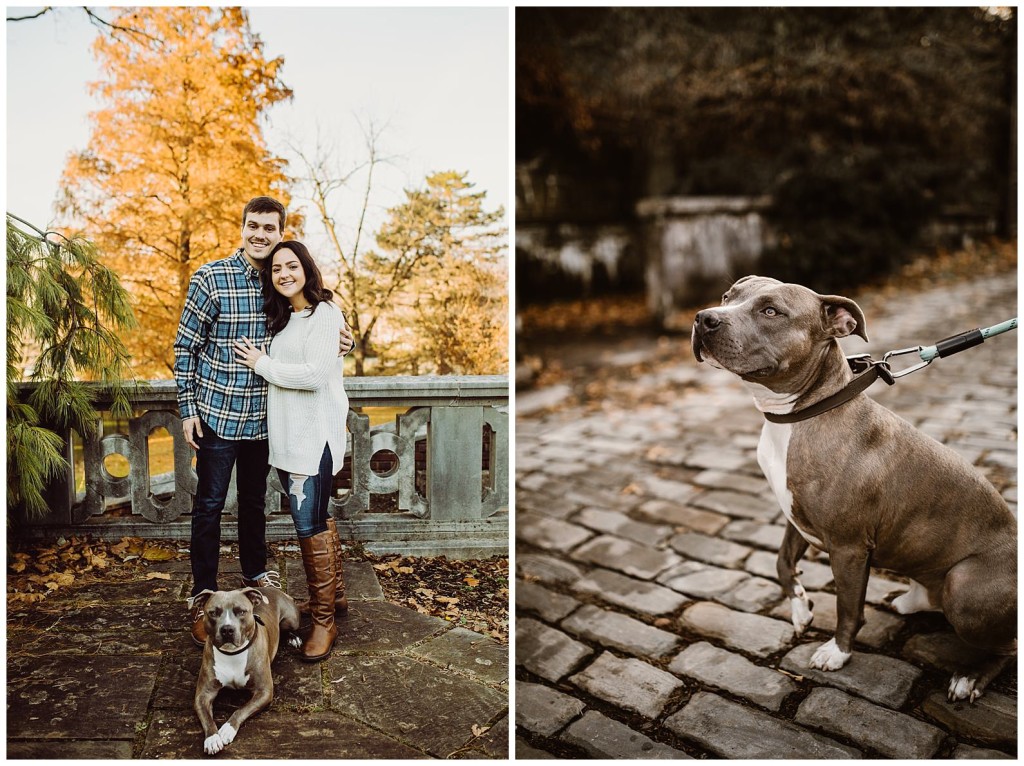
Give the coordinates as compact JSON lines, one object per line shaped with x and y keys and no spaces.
{"x":438,"y":78}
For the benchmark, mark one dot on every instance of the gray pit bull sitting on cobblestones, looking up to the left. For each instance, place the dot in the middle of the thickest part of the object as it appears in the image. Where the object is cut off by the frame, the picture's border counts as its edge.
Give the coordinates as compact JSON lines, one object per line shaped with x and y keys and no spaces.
{"x":862,"y":484}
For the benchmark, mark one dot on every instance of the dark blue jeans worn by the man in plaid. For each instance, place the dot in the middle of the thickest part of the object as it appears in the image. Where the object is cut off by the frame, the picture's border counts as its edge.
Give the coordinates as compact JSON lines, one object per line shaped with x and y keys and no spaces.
{"x":215,"y":461}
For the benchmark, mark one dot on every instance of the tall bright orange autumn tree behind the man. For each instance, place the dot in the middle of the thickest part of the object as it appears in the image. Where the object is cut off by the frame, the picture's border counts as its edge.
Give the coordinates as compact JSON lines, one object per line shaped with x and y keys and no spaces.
{"x":176,"y":153}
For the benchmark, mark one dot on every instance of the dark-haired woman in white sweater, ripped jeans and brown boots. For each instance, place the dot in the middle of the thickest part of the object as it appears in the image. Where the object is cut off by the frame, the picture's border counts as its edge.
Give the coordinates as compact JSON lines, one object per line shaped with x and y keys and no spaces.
{"x":307,"y":413}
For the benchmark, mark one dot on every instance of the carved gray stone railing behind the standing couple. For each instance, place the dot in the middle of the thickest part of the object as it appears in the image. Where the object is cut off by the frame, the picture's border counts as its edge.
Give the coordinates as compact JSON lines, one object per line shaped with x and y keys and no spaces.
{"x":435,"y":481}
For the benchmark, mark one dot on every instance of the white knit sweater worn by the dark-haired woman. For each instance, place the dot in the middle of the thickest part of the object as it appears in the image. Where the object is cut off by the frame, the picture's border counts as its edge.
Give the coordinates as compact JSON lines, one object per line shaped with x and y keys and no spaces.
{"x":308,"y":406}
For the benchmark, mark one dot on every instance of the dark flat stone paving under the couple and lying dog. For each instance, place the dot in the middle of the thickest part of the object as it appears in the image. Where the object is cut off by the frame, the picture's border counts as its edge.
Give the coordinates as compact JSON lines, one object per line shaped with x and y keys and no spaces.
{"x":109,"y":671}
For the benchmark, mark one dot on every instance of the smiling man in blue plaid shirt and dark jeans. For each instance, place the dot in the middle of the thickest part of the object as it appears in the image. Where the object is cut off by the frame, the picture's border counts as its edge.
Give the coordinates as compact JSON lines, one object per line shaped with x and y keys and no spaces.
{"x":224,"y":403}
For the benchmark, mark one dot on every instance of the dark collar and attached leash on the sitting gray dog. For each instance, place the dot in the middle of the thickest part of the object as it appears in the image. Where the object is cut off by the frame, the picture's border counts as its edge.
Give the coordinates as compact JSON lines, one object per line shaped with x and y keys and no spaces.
{"x":869,"y":370}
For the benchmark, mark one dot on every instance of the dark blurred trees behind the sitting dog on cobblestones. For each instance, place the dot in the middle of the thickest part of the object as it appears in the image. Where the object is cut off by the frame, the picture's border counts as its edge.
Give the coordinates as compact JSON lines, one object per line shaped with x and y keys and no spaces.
{"x":864,"y":125}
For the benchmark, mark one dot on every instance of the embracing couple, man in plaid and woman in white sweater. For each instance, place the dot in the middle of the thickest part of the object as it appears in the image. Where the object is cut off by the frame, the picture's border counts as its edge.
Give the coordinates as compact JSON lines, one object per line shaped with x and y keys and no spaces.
{"x":259,"y":362}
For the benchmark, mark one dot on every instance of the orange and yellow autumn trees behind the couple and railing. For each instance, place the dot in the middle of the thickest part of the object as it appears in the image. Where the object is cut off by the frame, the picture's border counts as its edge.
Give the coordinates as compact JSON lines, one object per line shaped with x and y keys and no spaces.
{"x":176,"y":151}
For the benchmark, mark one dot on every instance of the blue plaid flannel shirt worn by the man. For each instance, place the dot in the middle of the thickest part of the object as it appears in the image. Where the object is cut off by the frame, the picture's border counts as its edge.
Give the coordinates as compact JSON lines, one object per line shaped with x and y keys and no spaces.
{"x":225,"y":304}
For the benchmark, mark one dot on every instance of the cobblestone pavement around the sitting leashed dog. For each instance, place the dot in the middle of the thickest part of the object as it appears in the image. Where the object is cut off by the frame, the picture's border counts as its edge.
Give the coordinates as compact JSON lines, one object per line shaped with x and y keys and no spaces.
{"x":649,"y":620}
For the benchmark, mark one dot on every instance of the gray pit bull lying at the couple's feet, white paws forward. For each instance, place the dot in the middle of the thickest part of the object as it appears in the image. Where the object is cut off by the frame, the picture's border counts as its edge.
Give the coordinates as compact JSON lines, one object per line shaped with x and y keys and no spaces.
{"x":244,"y":630}
